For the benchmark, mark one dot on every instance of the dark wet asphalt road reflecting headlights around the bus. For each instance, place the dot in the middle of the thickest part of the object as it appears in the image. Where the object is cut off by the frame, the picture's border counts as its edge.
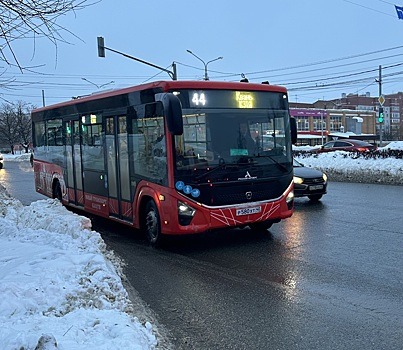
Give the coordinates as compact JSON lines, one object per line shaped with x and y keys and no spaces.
{"x":330,"y":277}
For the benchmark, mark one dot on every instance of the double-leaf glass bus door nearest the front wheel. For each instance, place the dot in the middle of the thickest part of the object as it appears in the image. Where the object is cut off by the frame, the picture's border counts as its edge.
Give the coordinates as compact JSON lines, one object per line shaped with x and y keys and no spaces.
{"x":117,"y":163}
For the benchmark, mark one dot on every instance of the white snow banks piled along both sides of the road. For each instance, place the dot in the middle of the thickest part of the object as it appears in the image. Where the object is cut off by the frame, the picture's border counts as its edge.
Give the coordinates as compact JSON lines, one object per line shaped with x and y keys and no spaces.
{"x":59,"y":284}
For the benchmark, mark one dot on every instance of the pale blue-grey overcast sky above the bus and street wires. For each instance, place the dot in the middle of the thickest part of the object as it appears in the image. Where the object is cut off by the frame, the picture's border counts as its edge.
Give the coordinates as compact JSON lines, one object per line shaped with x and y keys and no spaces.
{"x":317,"y":49}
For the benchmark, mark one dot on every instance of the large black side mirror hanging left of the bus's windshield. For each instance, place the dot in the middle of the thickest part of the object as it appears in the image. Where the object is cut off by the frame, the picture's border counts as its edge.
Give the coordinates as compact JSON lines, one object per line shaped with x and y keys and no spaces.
{"x":173,"y":112}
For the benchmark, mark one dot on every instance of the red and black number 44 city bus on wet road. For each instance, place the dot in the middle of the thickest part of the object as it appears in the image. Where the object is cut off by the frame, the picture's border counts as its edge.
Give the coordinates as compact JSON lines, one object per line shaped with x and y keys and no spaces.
{"x":171,"y":157}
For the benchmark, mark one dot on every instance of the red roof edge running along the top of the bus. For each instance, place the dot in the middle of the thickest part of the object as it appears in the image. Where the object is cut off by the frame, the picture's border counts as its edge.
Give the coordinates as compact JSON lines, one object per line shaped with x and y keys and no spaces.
{"x":166,"y":86}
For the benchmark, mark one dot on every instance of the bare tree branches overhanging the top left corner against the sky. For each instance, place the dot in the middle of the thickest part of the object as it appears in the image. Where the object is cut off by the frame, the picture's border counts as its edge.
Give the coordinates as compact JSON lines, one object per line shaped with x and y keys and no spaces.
{"x":32,"y":19}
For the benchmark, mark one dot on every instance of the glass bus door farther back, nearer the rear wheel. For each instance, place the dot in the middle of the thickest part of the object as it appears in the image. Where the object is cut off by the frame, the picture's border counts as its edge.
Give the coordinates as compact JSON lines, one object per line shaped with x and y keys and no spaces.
{"x":73,"y":162}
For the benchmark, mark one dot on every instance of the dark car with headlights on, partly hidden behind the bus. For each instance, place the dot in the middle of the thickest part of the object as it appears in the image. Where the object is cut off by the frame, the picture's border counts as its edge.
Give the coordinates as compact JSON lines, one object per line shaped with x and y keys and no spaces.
{"x":309,"y":182}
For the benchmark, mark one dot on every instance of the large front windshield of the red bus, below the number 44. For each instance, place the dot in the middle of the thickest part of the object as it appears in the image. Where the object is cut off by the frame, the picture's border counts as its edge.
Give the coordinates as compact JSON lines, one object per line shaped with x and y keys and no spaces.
{"x":215,"y":137}
